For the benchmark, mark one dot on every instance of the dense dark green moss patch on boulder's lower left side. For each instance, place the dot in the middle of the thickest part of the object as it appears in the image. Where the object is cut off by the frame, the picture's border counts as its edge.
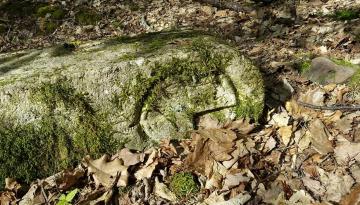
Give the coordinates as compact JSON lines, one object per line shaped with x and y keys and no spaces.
{"x":48,"y":144}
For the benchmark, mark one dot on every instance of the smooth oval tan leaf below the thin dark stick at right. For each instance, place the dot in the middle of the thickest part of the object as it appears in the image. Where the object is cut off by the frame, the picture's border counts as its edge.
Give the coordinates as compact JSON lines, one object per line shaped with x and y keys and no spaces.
{"x":320,"y":137}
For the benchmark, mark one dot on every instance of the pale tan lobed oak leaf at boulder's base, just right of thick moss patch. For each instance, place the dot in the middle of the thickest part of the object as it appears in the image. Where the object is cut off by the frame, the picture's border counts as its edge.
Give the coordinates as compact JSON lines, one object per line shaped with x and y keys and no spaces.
{"x":105,"y":171}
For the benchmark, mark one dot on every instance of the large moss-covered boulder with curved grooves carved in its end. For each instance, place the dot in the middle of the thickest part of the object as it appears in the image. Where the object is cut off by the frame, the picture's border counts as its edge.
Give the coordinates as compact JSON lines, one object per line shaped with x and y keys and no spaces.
{"x":61,"y":103}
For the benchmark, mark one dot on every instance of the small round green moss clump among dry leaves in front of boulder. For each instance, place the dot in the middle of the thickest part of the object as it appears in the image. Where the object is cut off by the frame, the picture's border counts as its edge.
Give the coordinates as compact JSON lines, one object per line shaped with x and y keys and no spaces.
{"x":183,"y":184}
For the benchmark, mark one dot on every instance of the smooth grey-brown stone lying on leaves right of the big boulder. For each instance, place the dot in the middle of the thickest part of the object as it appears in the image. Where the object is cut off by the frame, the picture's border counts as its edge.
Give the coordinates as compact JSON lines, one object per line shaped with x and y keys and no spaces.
{"x":325,"y":71}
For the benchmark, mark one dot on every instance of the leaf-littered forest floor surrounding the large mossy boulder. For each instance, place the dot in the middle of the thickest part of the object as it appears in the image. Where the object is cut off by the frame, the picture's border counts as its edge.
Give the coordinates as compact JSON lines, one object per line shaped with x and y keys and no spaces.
{"x":305,"y":150}
